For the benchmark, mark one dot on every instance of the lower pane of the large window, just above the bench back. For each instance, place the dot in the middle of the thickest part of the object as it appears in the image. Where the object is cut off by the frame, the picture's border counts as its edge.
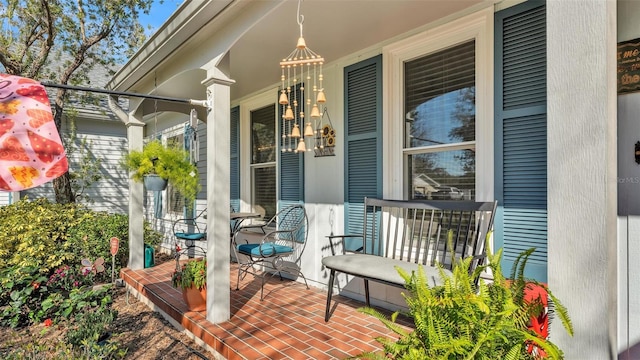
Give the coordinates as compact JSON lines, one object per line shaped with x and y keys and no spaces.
{"x":446,"y":175}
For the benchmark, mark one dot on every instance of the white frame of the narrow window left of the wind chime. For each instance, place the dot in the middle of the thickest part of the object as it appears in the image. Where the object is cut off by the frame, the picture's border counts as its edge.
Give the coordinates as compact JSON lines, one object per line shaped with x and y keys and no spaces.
{"x":246,"y":168}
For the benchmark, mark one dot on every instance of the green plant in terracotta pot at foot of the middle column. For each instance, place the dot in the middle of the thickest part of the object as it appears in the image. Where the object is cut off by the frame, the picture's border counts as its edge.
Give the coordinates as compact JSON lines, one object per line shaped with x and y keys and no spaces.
{"x":192,"y":279}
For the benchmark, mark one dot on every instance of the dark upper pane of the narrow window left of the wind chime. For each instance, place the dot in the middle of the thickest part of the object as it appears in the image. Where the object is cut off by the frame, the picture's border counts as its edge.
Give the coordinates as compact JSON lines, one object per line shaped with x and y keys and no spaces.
{"x":263,"y":136}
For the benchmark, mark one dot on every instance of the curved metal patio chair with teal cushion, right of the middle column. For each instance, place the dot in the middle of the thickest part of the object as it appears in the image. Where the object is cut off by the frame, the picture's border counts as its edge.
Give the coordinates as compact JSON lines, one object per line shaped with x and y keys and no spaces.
{"x":280,"y":249}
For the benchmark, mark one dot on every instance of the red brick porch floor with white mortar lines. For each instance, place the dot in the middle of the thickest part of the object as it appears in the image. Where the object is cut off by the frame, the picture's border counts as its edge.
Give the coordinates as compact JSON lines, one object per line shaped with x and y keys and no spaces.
{"x":288,"y":324}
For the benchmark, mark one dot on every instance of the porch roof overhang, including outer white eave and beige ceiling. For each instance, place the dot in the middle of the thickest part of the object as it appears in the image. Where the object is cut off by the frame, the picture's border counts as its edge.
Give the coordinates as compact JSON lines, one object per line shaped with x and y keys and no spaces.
{"x":334,"y":29}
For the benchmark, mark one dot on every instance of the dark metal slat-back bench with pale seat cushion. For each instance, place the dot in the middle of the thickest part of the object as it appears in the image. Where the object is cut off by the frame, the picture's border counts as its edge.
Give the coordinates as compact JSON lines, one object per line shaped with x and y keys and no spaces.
{"x":408,"y":234}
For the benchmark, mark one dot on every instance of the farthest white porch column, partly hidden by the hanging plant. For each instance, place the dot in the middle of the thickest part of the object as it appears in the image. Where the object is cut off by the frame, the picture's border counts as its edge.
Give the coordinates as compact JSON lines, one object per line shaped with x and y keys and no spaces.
{"x":135,"y":134}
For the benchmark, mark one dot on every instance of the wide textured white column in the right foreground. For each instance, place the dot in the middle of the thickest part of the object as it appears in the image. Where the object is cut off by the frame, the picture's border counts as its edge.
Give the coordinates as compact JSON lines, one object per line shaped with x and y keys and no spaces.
{"x":581,"y":130}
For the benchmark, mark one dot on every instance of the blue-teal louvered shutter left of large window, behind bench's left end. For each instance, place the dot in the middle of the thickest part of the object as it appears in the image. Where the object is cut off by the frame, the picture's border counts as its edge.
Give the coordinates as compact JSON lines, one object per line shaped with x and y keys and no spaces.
{"x":363,"y":139}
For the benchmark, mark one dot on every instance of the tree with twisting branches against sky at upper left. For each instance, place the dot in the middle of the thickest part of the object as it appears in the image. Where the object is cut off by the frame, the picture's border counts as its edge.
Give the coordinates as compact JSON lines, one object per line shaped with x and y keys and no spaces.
{"x":62,"y":40}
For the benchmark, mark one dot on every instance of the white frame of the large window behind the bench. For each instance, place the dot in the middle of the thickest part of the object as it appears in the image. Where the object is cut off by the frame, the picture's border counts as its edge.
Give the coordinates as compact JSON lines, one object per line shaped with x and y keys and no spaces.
{"x":478,"y":26}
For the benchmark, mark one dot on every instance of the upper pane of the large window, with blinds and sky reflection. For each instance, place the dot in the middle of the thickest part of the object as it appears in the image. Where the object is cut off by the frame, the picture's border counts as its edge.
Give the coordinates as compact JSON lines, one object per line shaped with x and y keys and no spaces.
{"x":440,"y":97}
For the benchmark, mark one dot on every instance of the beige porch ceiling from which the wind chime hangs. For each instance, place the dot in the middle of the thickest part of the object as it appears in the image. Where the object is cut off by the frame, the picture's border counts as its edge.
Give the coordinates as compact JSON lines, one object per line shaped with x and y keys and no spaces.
{"x":332,"y":28}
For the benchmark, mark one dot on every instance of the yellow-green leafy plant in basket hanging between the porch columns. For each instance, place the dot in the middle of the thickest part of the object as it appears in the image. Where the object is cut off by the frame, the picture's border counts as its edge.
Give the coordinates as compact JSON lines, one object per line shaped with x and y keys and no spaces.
{"x":169,"y":163}
